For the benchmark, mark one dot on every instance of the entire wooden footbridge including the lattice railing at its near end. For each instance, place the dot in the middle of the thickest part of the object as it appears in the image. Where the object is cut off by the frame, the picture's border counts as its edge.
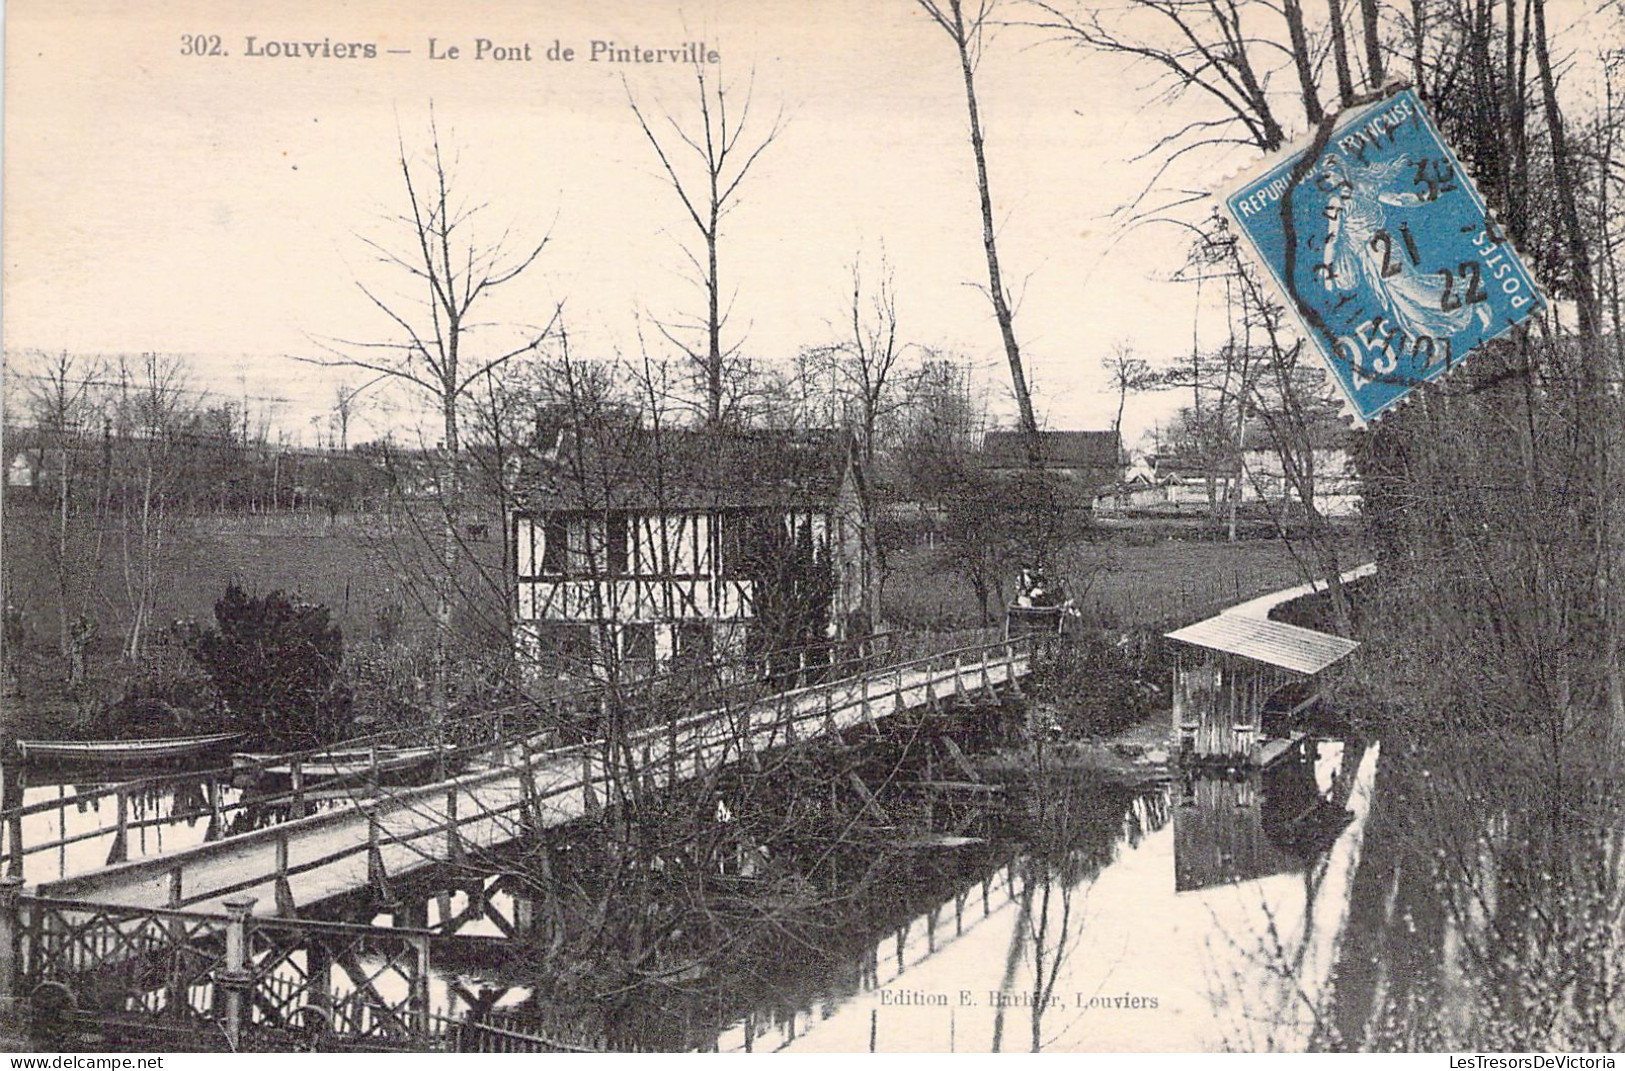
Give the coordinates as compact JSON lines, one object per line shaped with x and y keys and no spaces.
{"x":210,"y":937}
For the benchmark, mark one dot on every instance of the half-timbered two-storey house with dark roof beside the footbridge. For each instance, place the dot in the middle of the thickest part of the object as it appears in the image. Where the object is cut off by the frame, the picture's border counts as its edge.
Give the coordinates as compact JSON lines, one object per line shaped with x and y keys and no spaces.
{"x":643,"y":549}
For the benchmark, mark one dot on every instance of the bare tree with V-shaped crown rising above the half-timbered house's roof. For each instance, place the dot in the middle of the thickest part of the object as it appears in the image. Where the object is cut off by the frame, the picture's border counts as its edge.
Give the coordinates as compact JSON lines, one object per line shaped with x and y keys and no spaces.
{"x":724,"y":155}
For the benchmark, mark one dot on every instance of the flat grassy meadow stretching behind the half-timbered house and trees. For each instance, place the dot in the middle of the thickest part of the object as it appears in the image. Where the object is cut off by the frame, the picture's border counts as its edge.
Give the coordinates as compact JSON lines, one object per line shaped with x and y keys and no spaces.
{"x":373,"y":581}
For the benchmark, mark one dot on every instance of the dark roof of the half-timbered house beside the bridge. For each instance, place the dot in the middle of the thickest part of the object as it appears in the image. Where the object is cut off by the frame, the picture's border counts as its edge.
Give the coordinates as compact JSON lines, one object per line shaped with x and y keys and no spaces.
{"x":633,"y":467}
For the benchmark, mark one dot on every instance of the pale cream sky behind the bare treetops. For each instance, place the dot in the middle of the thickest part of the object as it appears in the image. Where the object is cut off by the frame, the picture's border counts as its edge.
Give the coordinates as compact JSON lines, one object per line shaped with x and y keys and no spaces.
{"x":220,"y":206}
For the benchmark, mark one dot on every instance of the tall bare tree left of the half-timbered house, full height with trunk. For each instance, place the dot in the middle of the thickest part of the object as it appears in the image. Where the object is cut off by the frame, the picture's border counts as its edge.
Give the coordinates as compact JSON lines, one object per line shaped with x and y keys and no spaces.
{"x":451,"y":274}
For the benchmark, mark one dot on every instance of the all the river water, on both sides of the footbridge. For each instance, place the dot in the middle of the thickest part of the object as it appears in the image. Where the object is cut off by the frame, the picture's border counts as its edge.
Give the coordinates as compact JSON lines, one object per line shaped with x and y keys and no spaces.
{"x":1112,"y":921}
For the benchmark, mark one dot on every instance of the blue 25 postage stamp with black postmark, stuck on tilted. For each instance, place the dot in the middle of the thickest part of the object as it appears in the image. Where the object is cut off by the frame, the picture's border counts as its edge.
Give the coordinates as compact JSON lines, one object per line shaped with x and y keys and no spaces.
{"x":1385,"y":253}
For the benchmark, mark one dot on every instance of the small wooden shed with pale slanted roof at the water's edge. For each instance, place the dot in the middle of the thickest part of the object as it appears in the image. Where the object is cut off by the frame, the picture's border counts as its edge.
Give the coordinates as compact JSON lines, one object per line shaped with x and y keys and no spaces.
{"x":1231,"y":669}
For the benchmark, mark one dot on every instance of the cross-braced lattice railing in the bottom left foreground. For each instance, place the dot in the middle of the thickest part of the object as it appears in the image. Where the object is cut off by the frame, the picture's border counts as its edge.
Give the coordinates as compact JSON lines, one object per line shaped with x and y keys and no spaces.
{"x":246,"y":978}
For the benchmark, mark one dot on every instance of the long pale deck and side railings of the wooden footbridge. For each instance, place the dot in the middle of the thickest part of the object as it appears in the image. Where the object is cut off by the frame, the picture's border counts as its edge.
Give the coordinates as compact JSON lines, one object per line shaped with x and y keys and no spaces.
{"x":529,"y":787}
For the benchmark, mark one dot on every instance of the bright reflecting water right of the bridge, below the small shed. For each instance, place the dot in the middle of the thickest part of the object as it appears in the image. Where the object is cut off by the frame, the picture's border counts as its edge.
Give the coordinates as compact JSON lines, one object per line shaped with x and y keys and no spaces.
{"x":1117,"y":929}
